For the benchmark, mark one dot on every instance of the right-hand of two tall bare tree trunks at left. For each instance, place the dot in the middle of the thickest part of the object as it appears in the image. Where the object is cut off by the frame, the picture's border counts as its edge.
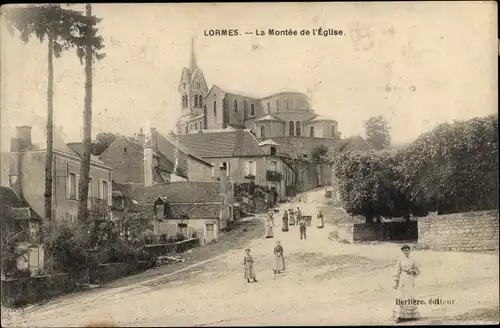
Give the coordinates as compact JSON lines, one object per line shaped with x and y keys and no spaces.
{"x":87,"y":129}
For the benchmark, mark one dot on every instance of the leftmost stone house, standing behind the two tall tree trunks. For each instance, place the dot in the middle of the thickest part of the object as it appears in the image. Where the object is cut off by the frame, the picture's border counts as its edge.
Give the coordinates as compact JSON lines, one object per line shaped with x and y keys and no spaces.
{"x":25,"y":174}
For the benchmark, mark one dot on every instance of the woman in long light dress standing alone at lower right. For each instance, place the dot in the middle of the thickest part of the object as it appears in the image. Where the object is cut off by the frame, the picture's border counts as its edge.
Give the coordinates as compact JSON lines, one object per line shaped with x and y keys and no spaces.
{"x":404,"y":282}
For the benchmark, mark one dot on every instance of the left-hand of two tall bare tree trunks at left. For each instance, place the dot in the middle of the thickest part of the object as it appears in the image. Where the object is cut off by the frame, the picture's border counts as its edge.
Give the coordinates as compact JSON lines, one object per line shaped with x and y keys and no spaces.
{"x":50,"y":131}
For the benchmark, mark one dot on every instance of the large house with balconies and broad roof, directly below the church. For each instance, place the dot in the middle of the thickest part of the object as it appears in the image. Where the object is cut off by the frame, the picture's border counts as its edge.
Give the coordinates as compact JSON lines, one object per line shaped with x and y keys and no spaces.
{"x":244,"y":158}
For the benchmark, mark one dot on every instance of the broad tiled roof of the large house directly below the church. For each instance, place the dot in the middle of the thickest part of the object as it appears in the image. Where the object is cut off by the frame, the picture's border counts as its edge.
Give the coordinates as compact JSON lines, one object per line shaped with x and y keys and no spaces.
{"x":223,"y":144}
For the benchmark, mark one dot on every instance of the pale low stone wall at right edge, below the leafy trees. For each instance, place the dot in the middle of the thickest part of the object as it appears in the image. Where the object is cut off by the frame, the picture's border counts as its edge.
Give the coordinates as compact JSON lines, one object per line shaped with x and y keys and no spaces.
{"x":471,"y":232}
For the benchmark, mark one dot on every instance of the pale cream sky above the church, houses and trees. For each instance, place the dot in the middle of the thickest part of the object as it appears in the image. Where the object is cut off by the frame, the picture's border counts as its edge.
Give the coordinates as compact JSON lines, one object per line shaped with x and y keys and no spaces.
{"x":416,"y":63}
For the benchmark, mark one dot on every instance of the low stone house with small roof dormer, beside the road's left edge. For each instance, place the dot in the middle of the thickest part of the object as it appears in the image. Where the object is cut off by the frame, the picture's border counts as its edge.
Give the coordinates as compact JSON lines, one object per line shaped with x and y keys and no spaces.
{"x":187,"y":207}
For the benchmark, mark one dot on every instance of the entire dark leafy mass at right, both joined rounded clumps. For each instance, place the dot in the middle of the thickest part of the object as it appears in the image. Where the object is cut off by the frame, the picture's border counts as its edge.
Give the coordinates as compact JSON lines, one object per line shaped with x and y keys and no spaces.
{"x":453,"y":168}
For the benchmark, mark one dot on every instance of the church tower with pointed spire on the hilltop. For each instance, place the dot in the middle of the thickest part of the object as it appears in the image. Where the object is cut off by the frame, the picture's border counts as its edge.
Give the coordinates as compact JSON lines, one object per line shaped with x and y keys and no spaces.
{"x":192,"y":91}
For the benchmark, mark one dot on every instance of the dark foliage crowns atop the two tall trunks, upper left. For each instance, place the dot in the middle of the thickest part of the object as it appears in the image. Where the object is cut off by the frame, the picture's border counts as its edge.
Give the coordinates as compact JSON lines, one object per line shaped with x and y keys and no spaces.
{"x":66,"y":27}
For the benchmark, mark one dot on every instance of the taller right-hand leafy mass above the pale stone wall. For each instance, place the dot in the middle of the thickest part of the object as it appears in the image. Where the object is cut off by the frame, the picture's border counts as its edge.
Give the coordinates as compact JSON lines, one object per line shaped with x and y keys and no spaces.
{"x":454,"y":168}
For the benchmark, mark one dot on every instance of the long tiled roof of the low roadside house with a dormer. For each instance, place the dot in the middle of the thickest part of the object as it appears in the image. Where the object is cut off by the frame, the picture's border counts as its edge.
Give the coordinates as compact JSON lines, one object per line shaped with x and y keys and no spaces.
{"x":179,"y":192}
